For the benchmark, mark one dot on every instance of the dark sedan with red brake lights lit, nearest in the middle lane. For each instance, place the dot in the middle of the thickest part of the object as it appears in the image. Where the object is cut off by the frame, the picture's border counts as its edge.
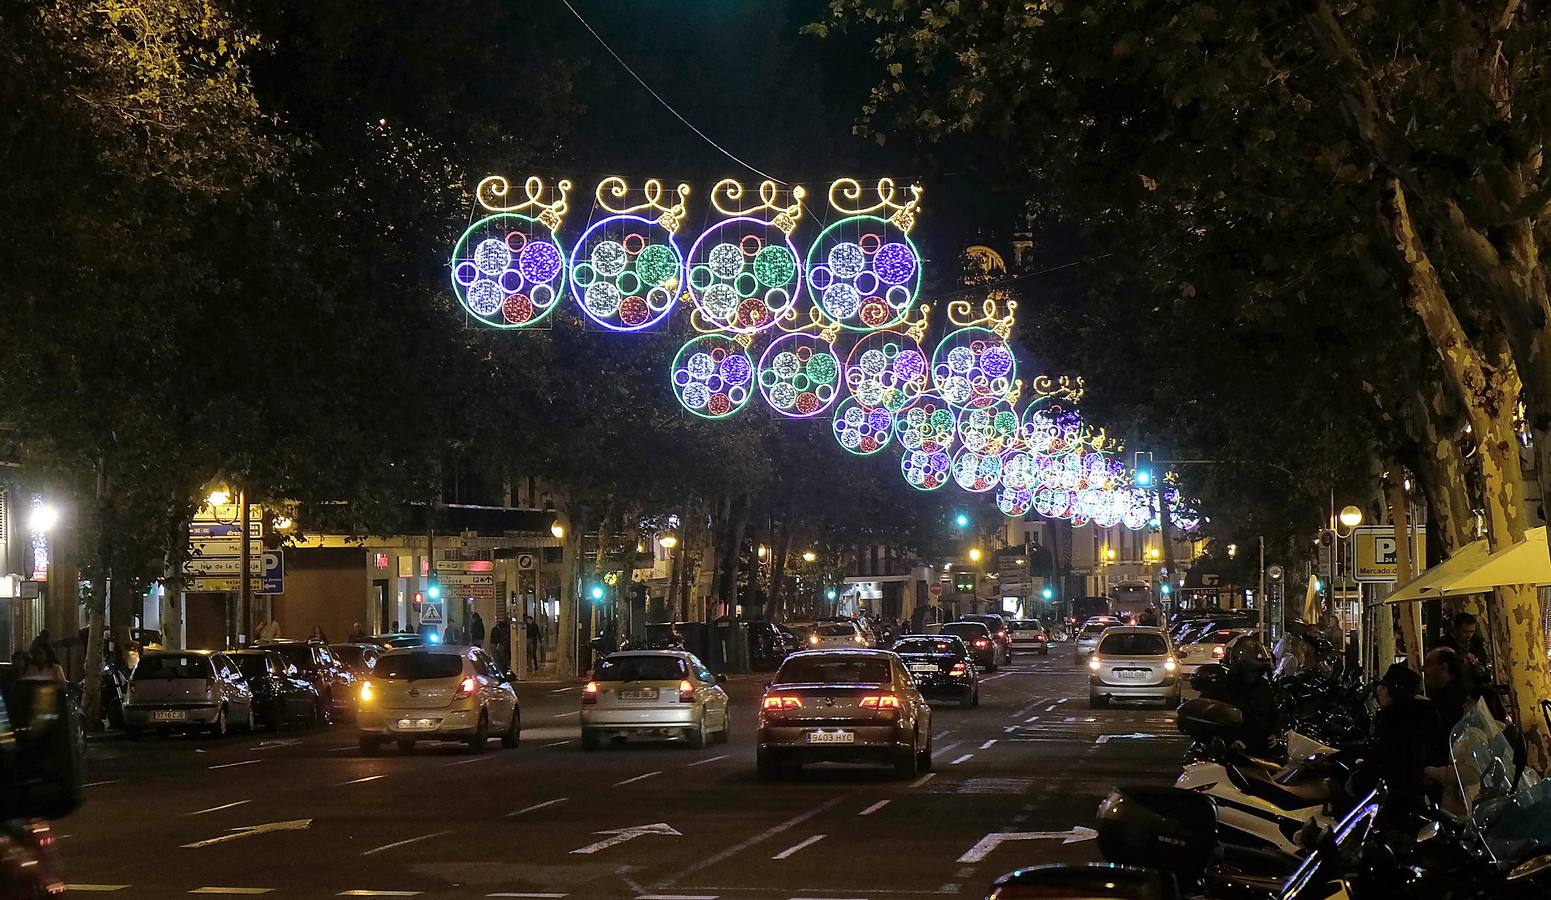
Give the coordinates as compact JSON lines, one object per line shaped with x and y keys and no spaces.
{"x":845,"y":707}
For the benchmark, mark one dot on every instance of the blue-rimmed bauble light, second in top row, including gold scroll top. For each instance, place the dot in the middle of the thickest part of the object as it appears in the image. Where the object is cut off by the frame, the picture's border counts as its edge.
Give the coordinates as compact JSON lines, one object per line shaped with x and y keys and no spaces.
{"x":627,"y":269}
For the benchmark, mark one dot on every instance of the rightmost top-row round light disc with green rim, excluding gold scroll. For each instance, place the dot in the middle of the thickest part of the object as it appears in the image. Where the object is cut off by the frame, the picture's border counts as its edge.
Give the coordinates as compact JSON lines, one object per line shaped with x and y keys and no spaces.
{"x":865,"y":274}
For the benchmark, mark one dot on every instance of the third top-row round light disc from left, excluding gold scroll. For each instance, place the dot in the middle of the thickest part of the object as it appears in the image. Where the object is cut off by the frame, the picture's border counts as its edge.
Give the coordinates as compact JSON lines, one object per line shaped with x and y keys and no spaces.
{"x":744,"y":275}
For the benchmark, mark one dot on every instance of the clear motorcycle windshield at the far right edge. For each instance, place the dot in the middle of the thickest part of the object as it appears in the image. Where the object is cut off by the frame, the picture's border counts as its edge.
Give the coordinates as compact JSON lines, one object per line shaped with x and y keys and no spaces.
{"x":1513,"y":819}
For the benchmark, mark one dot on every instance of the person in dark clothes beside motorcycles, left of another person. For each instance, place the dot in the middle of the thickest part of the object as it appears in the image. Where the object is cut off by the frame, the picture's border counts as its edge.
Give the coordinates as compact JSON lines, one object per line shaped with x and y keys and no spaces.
{"x":1404,"y":741}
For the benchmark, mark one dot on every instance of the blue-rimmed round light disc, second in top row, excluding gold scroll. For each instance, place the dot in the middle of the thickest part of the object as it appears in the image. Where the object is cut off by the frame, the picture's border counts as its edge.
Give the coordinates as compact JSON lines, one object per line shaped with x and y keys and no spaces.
{"x":626,"y":272}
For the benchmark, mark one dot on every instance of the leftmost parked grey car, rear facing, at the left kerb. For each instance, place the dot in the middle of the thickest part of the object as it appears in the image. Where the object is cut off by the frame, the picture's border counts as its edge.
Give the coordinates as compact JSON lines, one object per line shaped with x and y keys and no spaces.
{"x":190,"y":691}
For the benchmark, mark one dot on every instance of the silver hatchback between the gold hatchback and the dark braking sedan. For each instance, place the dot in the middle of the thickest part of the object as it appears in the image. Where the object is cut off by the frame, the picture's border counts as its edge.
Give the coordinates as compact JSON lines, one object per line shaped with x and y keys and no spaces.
{"x":663,"y":694}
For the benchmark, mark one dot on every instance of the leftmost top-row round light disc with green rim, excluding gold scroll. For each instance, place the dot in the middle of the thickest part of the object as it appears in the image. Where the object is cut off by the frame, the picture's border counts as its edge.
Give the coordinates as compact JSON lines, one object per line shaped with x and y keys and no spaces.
{"x":510,"y":271}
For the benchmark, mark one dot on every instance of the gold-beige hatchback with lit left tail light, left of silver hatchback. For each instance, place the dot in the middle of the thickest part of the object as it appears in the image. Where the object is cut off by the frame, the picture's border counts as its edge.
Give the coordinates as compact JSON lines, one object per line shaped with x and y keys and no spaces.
{"x":437,"y":694}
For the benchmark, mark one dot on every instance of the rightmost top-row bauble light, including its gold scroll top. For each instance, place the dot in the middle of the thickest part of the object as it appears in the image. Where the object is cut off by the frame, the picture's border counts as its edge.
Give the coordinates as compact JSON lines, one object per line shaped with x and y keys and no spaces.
{"x":865,"y":272}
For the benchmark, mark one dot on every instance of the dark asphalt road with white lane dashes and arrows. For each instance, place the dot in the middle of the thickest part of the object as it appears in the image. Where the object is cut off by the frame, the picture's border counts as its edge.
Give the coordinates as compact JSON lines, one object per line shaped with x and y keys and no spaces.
{"x":305,"y":815}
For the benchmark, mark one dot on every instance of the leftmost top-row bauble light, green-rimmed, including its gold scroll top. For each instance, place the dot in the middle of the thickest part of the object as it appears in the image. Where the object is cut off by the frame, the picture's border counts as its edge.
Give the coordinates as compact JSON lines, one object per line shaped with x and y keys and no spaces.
{"x":510,"y":269}
